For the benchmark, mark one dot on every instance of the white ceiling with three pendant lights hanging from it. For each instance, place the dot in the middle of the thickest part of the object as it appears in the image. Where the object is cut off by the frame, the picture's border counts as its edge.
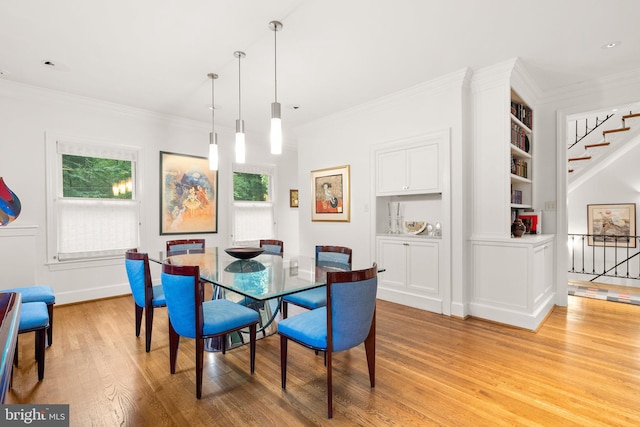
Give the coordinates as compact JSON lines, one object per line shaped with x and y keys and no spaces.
{"x":331,"y":54}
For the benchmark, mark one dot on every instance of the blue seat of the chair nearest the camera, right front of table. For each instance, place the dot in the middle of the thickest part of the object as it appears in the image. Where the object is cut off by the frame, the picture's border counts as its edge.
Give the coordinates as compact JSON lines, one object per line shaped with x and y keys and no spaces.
{"x":308,"y":328}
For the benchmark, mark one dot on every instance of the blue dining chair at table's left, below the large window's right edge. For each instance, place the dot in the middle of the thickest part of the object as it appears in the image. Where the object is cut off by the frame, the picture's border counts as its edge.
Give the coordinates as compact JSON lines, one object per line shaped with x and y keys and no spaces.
{"x":146,"y":296}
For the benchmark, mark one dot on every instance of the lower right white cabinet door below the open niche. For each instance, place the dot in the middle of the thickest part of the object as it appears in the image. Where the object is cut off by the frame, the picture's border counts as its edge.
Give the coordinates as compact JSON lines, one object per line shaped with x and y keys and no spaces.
{"x":422,"y":267}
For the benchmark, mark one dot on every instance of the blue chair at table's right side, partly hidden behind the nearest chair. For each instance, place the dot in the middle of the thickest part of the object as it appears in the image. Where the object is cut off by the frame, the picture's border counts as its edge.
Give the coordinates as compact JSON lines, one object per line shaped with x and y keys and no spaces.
{"x":326,"y":256}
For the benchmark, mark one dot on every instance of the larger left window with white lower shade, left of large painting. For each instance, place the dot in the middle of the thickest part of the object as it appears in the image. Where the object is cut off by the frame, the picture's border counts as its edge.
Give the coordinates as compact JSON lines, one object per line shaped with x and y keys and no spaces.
{"x":92,"y":209}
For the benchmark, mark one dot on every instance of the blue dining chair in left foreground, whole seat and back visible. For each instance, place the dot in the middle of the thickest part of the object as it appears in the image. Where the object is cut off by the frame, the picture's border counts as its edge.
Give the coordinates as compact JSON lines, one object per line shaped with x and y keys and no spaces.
{"x":192,"y":317}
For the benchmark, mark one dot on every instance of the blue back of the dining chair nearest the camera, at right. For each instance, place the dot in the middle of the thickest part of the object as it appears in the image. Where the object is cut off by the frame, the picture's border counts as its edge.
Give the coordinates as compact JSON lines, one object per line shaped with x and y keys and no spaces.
{"x":351,"y":305}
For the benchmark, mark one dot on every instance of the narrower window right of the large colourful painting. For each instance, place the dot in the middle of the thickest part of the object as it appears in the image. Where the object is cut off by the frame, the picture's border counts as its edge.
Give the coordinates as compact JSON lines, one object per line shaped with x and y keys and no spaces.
{"x":253,"y":213}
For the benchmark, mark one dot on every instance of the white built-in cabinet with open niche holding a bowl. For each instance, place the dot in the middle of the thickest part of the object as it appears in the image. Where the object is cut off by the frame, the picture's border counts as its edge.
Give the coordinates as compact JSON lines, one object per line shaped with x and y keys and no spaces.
{"x":413,"y":173}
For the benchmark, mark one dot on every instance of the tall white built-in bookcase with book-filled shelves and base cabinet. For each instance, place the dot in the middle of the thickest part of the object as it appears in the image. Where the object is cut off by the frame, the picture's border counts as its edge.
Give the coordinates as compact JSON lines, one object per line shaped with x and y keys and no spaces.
{"x":512,"y":279}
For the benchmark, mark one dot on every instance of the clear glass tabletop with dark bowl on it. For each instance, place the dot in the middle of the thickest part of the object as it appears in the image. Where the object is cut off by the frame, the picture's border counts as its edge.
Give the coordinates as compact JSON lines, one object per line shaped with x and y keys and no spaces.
{"x":264,"y":277}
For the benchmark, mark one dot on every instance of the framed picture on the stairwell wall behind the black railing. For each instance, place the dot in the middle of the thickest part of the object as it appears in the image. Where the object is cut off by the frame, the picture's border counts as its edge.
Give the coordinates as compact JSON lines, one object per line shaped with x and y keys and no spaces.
{"x":612,"y":225}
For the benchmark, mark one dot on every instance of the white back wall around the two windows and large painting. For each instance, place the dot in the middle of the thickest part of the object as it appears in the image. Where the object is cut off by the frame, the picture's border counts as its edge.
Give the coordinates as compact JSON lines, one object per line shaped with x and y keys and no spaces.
{"x":28,"y":113}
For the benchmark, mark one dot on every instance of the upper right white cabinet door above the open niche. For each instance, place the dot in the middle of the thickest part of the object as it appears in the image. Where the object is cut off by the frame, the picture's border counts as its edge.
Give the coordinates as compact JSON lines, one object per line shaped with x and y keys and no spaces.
{"x":423,"y":169}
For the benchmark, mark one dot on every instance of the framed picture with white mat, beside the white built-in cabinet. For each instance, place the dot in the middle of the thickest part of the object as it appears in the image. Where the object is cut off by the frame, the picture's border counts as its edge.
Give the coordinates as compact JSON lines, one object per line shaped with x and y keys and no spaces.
{"x":330,"y":189}
